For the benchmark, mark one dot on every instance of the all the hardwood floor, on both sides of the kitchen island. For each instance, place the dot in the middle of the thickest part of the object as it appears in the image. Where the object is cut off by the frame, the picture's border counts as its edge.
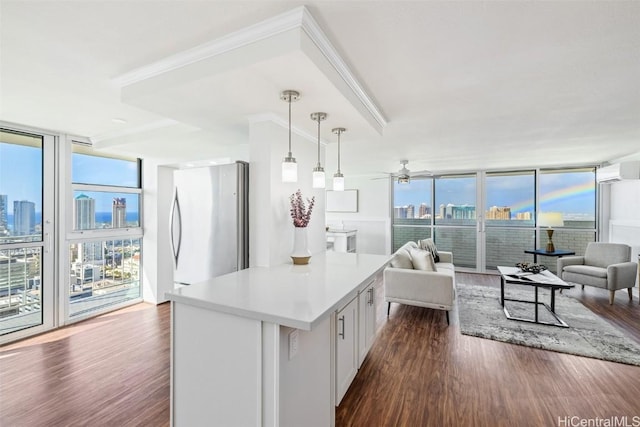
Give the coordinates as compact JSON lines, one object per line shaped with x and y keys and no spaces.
{"x":114,"y":371}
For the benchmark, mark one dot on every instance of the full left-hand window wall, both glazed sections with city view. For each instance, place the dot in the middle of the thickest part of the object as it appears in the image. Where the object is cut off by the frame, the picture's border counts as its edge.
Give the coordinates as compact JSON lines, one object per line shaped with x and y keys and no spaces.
{"x":70,"y":231}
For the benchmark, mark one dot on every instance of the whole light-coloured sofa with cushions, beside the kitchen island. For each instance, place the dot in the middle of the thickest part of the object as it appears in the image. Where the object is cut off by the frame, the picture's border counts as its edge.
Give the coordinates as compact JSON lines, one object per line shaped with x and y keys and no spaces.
{"x":405,"y":284}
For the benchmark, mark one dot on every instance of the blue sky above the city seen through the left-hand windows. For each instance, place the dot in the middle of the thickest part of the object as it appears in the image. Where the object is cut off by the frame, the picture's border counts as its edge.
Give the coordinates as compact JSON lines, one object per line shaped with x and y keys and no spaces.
{"x":21,"y":176}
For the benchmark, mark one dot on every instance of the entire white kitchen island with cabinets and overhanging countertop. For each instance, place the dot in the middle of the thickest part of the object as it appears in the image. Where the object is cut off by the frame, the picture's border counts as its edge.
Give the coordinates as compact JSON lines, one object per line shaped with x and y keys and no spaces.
{"x":270,"y":346}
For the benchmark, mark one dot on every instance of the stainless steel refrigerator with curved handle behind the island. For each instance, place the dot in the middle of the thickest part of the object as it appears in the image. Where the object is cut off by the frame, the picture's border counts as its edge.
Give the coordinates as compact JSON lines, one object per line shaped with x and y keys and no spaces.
{"x":209,"y":222}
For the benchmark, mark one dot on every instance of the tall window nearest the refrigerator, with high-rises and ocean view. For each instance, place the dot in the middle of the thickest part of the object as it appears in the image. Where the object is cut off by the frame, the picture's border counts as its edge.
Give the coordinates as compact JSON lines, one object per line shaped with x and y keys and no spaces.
{"x":104,"y":241}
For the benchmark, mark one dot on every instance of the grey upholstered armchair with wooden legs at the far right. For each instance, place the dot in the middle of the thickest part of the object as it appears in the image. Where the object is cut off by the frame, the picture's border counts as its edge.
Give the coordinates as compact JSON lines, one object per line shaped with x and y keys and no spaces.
{"x":604,"y":265}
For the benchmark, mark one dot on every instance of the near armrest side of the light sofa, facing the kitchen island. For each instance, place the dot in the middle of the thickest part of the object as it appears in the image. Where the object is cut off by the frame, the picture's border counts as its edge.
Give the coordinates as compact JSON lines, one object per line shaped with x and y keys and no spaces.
{"x":418,"y":285}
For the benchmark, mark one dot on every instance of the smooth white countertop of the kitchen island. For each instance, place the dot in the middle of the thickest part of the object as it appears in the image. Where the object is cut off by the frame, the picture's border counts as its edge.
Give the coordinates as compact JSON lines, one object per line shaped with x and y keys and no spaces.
{"x":297,"y":296}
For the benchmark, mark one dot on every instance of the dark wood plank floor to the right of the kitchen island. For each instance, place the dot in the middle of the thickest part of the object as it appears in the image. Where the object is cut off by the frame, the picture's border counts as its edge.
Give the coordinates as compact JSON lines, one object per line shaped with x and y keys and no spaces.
{"x":421,"y":372}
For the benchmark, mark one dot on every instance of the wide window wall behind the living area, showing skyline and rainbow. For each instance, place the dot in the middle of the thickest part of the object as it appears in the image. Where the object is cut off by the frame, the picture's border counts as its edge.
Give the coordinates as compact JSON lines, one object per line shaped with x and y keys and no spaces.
{"x":506,"y":225}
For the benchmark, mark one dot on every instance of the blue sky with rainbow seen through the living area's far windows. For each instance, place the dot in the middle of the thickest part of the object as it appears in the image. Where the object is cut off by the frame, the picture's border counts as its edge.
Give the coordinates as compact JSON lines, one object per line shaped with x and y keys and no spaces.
{"x":561,"y":192}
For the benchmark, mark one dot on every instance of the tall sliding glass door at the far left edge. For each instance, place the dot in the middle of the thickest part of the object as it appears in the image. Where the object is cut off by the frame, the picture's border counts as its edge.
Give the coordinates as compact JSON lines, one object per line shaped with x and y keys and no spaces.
{"x":27,"y":302}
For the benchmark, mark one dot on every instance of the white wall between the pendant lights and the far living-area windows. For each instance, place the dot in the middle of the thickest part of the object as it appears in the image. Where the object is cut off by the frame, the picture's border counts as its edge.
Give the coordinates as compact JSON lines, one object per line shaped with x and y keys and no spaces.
{"x":372,"y":220}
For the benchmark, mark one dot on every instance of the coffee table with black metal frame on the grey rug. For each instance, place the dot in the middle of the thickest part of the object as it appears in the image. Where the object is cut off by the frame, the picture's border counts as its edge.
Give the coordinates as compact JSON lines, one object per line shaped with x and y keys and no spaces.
{"x":544,"y":279}
